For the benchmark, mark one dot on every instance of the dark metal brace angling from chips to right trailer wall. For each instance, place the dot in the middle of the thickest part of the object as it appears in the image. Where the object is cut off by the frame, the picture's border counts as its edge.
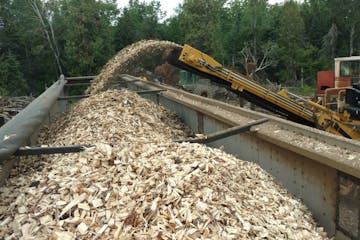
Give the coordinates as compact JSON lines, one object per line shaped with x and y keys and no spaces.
{"x":225,"y":133}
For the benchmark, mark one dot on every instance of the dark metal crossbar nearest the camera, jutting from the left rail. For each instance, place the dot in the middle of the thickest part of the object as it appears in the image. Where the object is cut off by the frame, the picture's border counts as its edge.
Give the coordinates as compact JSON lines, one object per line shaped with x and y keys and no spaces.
{"x":50,"y":150}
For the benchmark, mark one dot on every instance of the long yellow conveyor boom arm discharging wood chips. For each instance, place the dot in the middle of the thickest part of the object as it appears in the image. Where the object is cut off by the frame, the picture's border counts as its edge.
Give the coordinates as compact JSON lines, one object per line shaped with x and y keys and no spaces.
{"x":308,"y":112}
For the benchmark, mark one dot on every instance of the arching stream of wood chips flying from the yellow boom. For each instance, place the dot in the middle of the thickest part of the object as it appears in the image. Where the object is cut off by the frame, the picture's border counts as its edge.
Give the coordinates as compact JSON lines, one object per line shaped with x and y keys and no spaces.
{"x":126,"y":60}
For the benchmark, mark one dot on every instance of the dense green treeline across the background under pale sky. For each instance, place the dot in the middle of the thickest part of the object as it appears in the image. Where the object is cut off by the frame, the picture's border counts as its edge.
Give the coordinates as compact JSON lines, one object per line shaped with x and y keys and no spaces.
{"x":289,"y":42}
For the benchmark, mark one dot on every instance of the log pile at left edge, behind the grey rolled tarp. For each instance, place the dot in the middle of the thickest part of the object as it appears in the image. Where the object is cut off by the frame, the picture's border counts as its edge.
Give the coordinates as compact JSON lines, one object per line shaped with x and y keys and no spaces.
{"x":10,"y":106}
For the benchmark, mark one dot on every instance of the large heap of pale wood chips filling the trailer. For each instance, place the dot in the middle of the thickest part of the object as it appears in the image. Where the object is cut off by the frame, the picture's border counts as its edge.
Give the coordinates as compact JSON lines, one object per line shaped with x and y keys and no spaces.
{"x":136,"y":183}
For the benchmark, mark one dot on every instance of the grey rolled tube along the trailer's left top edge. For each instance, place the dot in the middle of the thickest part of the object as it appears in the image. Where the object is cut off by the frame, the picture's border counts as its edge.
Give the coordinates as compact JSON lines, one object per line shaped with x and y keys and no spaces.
{"x":19,"y":129}
